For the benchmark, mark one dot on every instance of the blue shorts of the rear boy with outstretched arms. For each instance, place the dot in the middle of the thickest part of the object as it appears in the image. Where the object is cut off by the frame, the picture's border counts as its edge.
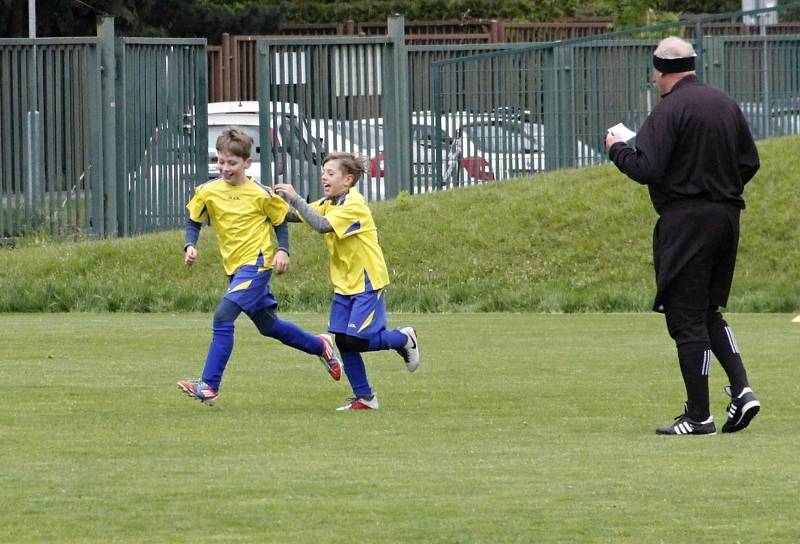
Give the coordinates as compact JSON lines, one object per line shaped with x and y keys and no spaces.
{"x":362,"y":315}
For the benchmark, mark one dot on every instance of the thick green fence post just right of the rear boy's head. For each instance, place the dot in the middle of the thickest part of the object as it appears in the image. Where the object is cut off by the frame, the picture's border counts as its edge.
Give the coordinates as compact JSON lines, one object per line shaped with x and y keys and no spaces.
{"x":397,"y":121}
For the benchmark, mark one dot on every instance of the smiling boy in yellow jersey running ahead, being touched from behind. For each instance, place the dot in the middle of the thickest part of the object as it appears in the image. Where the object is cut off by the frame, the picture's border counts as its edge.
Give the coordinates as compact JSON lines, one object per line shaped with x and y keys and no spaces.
{"x":243,"y":213}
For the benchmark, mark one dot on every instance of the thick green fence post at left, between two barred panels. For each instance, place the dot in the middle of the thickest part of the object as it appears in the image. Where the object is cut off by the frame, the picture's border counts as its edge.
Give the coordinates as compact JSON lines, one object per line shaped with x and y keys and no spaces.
{"x":108,"y":111}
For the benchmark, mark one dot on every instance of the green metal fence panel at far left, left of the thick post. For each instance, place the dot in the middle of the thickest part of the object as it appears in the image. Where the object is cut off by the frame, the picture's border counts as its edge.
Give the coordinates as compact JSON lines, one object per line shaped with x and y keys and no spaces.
{"x":50,"y":175}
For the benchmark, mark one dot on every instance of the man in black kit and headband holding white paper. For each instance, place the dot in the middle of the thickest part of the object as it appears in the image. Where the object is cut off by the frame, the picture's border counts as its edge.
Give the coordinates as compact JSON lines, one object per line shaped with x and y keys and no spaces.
{"x":695,"y":153}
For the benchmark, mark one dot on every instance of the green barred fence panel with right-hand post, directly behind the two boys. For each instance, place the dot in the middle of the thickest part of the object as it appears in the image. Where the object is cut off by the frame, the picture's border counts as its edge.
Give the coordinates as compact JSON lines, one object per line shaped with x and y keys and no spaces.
{"x":333,"y":94}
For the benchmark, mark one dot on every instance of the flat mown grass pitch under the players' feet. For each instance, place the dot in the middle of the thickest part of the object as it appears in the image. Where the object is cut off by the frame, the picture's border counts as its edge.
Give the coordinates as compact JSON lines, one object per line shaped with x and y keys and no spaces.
{"x":516,"y":428}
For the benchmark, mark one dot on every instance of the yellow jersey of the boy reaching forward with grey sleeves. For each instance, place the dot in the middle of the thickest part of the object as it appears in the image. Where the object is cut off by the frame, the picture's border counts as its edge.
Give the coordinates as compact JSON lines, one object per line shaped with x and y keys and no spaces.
{"x":353,"y":244}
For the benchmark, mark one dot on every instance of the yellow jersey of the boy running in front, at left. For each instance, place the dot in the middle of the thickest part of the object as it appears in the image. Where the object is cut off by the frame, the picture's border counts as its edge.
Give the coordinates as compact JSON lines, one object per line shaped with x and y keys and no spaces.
{"x":242,"y":216}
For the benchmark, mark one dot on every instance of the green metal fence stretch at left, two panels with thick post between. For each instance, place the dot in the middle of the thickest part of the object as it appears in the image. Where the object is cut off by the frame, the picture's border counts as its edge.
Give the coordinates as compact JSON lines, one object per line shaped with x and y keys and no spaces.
{"x":100,"y":136}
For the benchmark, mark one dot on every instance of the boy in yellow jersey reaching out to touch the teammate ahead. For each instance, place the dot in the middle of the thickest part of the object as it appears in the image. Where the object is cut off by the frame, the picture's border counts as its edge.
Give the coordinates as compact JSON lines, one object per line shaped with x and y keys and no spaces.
{"x":358,"y":273}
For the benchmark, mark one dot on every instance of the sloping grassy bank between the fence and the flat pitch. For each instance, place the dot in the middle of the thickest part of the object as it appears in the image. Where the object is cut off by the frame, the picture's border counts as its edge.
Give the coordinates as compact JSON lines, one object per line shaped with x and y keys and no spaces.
{"x":567,"y":241}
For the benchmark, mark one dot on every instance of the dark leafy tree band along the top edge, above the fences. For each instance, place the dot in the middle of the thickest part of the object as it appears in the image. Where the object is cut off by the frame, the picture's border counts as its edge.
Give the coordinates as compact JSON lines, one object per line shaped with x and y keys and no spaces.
{"x":210,"y":18}
